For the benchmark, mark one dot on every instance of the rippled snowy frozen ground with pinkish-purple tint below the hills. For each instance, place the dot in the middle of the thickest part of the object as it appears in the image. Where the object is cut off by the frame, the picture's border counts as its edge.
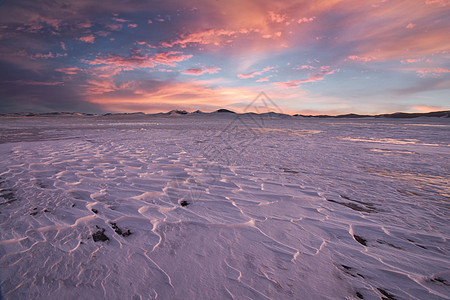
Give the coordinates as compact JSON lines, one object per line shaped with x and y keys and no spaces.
{"x":213,"y":207}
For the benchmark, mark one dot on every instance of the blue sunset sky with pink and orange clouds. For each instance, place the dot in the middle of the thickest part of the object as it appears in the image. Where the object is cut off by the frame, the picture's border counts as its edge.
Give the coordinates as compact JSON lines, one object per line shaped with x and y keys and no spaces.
{"x":309,"y":57}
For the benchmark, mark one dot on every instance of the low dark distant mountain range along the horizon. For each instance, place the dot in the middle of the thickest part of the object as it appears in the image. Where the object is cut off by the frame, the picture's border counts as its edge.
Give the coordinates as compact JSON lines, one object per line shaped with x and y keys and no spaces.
{"x":223,"y":111}
